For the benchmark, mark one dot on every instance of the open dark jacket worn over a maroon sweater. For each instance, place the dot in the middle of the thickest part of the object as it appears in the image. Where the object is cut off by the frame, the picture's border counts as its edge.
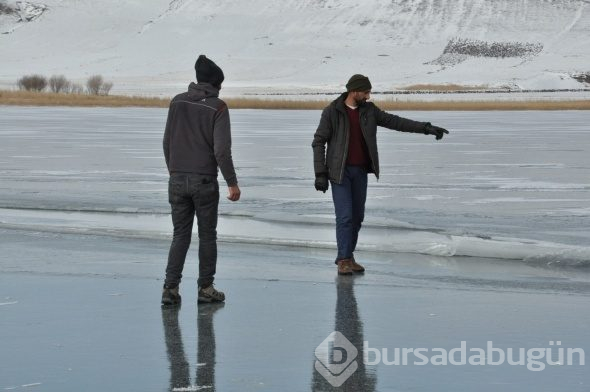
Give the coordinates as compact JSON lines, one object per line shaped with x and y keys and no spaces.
{"x":334,"y":130}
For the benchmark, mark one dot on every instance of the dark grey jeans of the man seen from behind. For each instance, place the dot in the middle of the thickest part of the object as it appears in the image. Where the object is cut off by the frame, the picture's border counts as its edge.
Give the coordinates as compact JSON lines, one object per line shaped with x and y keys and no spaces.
{"x":189,"y":194}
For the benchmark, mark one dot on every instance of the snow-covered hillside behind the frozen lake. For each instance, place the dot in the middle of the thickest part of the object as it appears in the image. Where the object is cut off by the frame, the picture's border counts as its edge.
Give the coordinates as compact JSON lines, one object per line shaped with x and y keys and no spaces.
{"x":149,"y":46}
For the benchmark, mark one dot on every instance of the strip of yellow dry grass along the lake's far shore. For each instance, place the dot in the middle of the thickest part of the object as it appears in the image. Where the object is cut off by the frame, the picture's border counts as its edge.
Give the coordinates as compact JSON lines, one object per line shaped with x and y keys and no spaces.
{"x":23,"y":98}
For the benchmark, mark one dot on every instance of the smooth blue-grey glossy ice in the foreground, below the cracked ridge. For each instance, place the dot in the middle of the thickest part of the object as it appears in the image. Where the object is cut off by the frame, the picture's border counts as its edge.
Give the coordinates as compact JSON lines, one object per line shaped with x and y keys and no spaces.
{"x":67,"y":332}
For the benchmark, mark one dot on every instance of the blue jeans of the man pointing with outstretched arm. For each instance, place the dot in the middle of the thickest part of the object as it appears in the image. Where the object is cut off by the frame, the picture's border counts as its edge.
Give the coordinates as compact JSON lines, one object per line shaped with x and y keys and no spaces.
{"x":349,"y":204}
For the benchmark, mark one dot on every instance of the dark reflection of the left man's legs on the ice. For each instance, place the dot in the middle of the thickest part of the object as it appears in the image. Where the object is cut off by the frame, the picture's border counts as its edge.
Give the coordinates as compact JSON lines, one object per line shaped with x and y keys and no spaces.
{"x":179,"y":366}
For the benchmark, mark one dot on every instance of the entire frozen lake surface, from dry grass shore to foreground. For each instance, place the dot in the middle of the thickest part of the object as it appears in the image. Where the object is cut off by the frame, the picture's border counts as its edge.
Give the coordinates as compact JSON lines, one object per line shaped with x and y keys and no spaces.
{"x":85,"y":230}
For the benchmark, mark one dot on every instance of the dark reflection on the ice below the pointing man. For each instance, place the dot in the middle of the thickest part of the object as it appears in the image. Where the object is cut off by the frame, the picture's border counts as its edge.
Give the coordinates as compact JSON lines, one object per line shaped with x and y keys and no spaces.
{"x":350,"y":325}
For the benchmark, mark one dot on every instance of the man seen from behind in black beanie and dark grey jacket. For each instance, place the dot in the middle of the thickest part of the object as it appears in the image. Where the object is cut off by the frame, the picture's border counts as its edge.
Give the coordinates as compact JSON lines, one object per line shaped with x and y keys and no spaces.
{"x":197,"y":141}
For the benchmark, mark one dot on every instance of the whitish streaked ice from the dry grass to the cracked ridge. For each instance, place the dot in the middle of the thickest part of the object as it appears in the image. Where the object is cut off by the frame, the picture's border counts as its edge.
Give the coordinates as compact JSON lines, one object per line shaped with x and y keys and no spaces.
{"x":511,"y":185}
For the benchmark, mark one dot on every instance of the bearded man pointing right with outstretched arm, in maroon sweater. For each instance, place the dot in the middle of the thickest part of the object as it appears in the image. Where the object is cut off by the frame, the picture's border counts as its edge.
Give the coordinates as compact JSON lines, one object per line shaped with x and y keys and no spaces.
{"x":349,"y":127}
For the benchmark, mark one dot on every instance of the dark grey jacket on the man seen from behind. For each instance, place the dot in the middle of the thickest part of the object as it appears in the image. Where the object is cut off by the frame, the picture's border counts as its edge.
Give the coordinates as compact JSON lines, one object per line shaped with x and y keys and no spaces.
{"x":197,"y":138}
